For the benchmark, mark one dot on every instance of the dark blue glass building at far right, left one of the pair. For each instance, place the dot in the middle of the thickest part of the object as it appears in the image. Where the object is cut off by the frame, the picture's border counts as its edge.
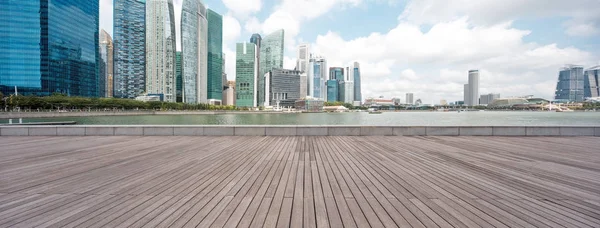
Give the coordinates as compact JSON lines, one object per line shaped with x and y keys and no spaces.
{"x":570,"y":85}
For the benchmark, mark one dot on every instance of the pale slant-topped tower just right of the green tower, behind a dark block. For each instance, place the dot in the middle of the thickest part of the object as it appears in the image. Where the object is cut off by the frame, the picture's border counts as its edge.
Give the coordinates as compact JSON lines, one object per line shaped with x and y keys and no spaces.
{"x":271,"y":57}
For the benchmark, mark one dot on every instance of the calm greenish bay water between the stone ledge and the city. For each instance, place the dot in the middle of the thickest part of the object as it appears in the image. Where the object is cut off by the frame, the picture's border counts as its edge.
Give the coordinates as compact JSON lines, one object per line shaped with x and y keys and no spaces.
{"x":385,"y":119}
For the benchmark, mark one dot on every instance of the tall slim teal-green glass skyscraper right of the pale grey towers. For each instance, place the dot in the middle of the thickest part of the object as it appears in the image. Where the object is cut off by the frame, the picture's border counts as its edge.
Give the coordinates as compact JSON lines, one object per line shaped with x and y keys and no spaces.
{"x":215,"y":57}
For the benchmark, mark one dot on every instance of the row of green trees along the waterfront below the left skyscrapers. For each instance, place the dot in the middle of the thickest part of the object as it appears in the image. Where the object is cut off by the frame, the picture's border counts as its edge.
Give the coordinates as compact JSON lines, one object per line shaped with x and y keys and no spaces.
{"x":62,"y":102}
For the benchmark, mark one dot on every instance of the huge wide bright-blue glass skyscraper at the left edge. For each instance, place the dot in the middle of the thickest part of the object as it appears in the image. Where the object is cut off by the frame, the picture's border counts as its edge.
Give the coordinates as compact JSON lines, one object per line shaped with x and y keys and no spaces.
{"x":49,"y":46}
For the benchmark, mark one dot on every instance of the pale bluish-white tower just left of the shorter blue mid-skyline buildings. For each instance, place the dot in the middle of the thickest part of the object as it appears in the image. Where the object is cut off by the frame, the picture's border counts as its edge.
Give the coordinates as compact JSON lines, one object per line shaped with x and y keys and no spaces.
{"x":317,"y":76}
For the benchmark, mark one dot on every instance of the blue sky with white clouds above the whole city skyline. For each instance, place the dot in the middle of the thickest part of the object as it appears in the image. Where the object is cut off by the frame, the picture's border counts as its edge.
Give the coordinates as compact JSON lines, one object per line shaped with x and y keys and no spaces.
{"x":425,"y":47}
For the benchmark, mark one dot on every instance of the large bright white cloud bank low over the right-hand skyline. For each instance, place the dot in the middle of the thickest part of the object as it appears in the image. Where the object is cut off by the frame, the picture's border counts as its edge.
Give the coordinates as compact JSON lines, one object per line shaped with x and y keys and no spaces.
{"x":433,"y":64}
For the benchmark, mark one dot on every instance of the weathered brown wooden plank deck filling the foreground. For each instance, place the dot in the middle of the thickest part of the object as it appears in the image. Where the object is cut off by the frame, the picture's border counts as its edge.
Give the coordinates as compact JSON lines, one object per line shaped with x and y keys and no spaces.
{"x":299,"y":182}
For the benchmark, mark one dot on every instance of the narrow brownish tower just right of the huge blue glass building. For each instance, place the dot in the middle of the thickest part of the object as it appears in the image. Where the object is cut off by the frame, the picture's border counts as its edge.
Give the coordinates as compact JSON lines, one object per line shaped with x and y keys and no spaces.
{"x":106,"y":71}
